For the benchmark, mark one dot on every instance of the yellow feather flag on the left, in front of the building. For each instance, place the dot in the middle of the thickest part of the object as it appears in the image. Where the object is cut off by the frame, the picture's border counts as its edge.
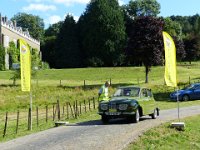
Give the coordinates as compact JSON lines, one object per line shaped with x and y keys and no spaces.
{"x":25,"y":65}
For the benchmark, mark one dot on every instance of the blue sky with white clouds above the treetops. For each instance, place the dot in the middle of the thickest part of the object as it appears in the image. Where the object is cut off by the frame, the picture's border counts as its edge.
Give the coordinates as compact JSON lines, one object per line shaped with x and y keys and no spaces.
{"x":52,"y":11}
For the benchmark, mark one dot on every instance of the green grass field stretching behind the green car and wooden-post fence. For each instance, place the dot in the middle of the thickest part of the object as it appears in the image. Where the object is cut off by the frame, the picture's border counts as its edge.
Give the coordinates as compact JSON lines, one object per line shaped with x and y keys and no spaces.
{"x":67,"y":85}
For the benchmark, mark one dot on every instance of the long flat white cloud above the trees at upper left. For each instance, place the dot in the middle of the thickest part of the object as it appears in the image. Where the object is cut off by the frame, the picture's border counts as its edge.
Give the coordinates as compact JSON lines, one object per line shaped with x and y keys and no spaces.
{"x":39,"y":7}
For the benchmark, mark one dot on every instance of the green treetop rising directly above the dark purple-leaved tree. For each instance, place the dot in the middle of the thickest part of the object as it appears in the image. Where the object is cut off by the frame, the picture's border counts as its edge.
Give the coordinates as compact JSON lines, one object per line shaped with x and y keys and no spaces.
{"x":143,"y":8}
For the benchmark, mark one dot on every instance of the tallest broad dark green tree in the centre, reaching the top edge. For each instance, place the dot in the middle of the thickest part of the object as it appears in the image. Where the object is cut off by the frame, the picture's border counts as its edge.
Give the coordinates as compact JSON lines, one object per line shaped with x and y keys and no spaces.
{"x":102,"y":33}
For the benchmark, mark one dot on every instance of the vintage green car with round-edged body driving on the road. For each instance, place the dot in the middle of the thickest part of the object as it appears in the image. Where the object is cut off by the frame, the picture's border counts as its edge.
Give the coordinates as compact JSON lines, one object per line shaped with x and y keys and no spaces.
{"x":129,"y":102}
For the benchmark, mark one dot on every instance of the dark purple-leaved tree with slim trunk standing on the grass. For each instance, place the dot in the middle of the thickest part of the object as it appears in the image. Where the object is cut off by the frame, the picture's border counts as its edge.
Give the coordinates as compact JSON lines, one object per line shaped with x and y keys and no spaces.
{"x":146,"y":44}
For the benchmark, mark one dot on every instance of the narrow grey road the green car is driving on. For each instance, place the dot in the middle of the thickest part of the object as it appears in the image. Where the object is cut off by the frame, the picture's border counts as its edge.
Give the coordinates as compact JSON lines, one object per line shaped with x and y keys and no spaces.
{"x":93,"y":135}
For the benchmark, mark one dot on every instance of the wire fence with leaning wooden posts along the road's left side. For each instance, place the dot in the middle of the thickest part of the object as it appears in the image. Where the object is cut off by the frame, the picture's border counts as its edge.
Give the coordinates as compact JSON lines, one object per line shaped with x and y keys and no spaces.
{"x":20,"y":121}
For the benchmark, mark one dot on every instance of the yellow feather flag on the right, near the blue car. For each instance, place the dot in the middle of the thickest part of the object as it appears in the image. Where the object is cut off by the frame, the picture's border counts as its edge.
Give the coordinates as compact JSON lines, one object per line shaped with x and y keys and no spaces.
{"x":170,"y":60}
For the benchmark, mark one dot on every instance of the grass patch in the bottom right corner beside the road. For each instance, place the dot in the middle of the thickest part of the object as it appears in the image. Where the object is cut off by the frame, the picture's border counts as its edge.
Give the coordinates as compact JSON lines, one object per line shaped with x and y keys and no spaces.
{"x":165,"y":138}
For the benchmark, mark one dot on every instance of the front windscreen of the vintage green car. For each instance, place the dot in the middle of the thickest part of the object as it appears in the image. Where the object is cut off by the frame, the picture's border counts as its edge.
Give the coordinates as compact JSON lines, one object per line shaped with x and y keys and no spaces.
{"x":133,"y":92}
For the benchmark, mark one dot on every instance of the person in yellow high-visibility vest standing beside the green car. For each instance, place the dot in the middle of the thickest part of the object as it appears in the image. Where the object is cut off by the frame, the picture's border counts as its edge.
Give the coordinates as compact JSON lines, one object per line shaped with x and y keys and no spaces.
{"x":103,"y":92}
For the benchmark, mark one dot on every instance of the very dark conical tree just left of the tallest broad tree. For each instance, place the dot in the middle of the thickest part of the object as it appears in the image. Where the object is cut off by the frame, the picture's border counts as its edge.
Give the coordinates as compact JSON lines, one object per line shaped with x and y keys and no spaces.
{"x":68,"y":53}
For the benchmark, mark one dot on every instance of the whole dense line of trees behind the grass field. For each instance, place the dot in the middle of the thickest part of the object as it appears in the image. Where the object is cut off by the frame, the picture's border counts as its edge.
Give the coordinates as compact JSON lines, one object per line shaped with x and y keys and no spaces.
{"x":107,"y":34}
